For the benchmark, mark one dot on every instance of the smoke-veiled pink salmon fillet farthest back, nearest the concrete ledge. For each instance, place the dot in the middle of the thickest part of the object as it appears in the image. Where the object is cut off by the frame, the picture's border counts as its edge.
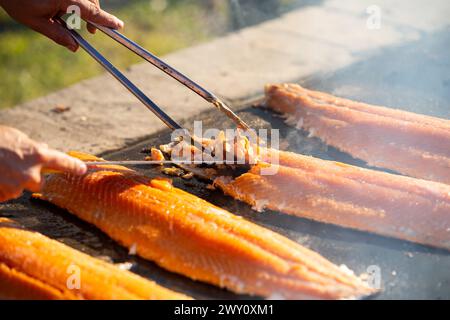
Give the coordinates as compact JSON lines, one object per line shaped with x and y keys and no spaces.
{"x":409,"y":143}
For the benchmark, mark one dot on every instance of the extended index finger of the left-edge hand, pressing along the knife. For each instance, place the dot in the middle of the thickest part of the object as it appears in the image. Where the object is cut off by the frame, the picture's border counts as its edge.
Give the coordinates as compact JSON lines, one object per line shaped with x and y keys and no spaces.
{"x":55,"y":160}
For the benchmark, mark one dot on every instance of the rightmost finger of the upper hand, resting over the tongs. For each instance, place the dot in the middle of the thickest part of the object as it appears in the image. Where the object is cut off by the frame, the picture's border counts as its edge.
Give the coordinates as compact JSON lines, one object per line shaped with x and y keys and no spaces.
{"x":91,"y":11}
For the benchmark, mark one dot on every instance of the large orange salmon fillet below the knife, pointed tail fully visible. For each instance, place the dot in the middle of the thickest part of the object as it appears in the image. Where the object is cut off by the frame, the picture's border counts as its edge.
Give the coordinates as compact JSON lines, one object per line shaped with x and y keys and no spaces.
{"x":187,"y":235}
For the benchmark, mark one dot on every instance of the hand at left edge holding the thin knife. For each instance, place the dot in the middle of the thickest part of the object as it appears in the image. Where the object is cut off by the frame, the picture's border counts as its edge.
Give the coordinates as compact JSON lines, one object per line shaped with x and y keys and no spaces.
{"x":21,"y":162}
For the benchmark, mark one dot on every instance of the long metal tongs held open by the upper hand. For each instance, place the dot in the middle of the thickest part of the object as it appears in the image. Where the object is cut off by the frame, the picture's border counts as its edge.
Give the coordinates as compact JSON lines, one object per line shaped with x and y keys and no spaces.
{"x":148,"y":56}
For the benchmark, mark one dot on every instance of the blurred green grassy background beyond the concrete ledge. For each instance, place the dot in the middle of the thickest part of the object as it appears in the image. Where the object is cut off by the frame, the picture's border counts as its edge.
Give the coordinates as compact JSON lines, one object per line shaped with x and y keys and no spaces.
{"x":32,"y":66}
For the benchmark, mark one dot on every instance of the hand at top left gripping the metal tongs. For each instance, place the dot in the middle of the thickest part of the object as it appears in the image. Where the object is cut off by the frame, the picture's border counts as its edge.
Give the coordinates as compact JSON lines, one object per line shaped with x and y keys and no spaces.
{"x":39,"y":14}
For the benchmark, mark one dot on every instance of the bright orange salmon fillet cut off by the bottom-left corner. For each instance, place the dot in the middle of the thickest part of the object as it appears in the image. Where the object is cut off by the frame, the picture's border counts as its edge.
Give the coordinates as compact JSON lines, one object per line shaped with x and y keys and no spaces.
{"x":33,"y":266}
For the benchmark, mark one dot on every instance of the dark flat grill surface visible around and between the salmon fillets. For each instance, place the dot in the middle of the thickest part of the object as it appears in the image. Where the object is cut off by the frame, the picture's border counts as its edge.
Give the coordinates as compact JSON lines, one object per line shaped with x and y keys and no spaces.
{"x":413,"y":75}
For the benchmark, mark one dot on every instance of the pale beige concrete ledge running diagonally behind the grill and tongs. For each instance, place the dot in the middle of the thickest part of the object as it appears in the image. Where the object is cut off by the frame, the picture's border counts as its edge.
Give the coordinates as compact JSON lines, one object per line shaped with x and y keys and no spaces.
{"x":325,"y":38}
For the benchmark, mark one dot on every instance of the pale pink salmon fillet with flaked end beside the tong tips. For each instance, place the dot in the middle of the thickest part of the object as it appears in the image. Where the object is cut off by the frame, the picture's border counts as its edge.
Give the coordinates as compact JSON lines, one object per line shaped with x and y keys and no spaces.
{"x":332,"y":192}
